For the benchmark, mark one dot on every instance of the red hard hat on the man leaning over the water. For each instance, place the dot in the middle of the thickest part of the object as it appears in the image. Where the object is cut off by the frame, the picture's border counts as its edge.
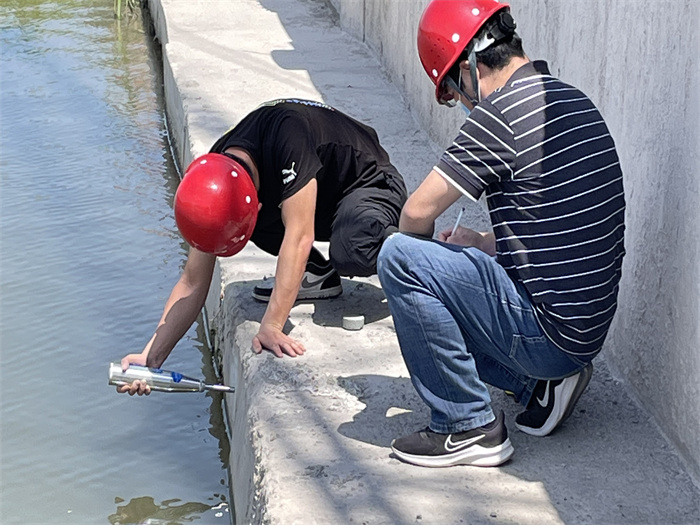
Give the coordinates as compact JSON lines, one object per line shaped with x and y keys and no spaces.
{"x":216,"y":205}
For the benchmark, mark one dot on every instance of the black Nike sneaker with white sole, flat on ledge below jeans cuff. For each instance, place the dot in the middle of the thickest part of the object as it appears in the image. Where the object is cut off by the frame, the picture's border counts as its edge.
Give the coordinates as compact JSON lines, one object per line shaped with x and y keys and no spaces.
{"x":486,"y":446}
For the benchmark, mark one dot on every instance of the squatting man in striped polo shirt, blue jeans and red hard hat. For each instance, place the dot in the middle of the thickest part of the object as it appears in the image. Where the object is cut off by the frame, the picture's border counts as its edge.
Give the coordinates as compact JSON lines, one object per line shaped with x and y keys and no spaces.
{"x":526,"y":307}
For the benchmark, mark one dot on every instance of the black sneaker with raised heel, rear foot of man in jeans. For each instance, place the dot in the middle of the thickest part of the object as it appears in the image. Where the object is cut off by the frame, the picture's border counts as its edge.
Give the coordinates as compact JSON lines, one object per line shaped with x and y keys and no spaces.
{"x":552,"y":402}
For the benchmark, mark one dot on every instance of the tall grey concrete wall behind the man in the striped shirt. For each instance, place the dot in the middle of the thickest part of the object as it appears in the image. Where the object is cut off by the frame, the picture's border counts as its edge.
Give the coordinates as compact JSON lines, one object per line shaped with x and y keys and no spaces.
{"x":638,"y":61}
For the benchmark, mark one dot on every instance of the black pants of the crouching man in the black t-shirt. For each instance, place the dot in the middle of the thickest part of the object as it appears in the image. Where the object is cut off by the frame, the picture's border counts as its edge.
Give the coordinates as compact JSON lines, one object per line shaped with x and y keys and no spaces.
{"x":363,"y":219}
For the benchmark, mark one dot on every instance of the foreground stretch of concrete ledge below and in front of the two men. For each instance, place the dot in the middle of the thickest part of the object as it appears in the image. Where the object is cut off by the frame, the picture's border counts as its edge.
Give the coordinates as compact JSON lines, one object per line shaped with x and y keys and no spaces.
{"x":310,"y":436}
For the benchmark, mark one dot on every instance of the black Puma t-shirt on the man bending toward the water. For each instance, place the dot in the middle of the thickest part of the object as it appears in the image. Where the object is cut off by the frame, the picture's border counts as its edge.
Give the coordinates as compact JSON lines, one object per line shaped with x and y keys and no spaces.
{"x":294,"y":141}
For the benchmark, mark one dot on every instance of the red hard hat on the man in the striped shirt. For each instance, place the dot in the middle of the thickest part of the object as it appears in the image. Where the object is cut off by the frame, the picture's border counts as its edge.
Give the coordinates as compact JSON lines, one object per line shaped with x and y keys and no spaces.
{"x":444,"y":31}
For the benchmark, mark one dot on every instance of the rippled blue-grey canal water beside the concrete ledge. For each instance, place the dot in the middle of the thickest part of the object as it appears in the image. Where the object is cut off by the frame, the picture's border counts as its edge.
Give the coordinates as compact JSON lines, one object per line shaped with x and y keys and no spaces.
{"x":89,"y":253}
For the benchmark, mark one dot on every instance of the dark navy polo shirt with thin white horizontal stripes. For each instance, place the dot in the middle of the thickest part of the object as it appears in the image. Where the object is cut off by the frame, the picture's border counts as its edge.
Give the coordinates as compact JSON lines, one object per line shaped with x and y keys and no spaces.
{"x":541,"y":152}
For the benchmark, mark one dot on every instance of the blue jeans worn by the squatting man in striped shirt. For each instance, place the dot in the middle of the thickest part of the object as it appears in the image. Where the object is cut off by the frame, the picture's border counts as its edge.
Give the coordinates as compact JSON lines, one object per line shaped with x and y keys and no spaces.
{"x":462,"y":322}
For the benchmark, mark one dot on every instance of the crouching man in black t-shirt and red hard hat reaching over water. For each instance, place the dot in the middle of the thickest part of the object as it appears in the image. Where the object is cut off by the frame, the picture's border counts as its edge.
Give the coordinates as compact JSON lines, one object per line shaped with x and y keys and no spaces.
{"x":290,"y":173}
